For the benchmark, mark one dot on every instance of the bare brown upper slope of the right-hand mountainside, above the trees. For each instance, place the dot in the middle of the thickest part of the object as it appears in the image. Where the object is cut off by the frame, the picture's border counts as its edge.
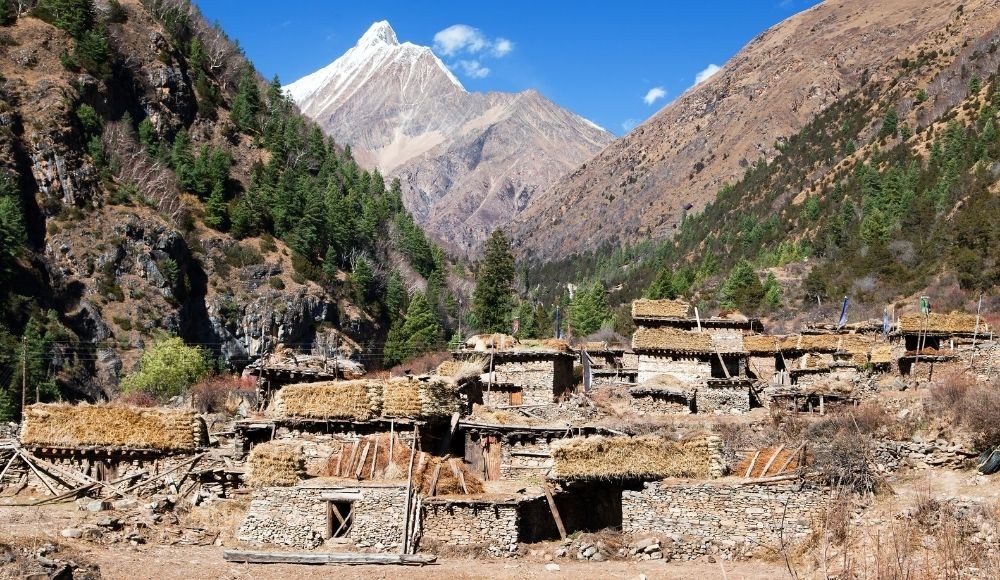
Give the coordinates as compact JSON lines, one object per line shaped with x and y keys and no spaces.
{"x":677,"y":160}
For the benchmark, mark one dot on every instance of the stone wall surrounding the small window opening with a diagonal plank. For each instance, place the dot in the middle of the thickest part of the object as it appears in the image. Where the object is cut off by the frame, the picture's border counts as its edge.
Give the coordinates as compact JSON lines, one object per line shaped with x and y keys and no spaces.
{"x":296,"y":516}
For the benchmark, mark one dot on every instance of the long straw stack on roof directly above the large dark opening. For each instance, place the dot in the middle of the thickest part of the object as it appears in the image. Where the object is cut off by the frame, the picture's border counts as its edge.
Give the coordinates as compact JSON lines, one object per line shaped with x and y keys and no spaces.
{"x":647,"y":457}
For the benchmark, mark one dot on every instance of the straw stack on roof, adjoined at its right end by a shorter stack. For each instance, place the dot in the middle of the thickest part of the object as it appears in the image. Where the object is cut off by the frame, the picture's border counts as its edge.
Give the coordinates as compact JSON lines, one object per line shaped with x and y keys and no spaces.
{"x":358,"y":400}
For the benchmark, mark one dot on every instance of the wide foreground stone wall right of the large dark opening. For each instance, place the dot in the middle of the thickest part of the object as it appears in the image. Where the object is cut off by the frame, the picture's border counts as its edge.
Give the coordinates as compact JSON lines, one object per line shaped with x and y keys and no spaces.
{"x":718,"y":518}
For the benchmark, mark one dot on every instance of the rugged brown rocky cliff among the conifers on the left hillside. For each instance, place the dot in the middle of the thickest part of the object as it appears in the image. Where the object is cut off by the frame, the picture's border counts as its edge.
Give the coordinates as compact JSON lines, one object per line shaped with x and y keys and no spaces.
{"x":118,"y":273}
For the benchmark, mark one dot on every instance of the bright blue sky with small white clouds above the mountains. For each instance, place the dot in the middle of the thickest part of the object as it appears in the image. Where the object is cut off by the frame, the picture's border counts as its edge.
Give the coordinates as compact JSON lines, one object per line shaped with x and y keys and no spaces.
{"x":607,"y":61}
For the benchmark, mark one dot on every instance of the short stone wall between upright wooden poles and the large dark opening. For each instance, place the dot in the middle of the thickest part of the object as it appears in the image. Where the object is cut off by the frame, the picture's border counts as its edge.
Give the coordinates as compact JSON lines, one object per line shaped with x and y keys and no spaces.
{"x":475,"y":526}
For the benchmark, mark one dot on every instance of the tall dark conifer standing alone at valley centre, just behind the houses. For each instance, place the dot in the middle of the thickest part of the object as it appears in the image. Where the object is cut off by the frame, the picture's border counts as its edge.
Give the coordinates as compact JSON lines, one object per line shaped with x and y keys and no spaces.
{"x":493,"y":297}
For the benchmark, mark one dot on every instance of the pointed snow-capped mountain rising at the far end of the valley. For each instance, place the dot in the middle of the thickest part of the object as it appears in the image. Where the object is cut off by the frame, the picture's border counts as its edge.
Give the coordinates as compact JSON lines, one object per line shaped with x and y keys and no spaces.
{"x":468,"y":162}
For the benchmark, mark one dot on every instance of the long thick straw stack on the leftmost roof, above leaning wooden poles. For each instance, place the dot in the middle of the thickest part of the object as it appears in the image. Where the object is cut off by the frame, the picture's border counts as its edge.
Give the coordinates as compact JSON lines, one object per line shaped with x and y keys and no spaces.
{"x":62,"y":425}
